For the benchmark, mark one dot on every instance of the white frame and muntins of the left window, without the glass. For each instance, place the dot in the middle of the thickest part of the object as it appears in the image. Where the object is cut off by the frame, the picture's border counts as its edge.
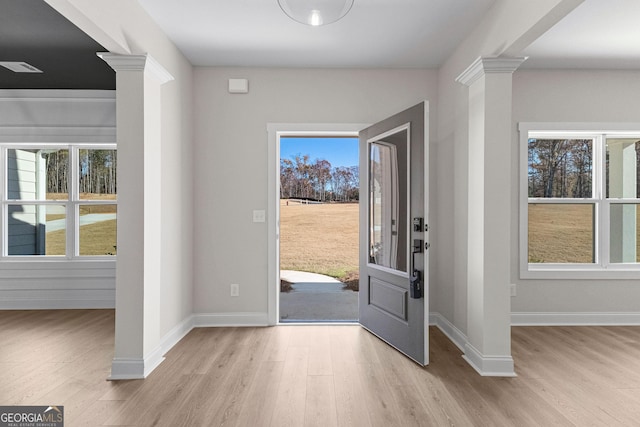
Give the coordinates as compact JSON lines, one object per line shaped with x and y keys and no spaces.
{"x":72,"y":203}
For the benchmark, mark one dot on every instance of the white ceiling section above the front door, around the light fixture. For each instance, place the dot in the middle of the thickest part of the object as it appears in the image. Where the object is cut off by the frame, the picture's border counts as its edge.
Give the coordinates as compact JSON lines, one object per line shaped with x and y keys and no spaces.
{"x":374,"y":34}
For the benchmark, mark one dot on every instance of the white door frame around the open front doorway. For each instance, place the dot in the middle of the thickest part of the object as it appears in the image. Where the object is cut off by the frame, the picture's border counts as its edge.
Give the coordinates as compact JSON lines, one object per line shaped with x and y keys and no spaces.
{"x":274,"y":132}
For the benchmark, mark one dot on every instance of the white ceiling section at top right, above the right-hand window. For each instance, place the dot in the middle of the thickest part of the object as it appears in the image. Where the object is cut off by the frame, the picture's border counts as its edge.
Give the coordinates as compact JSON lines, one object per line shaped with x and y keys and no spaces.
{"x":597,"y":34}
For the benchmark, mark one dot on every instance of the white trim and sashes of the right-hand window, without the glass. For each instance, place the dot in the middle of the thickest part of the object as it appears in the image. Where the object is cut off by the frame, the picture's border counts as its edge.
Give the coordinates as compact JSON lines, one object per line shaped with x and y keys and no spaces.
{"x":601,"y":269}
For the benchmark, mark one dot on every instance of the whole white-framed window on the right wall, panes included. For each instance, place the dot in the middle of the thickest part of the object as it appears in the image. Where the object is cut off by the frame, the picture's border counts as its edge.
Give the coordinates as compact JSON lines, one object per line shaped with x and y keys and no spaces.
{"x":579,"y":201}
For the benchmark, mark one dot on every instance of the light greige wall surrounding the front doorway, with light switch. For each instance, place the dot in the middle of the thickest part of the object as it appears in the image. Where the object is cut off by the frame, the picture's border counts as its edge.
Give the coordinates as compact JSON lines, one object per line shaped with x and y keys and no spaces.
{"x":231,"y":160}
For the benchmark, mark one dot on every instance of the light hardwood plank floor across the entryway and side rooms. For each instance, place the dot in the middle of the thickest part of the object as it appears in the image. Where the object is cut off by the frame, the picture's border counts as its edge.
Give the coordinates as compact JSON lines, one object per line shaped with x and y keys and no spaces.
{"x":317,"y":376}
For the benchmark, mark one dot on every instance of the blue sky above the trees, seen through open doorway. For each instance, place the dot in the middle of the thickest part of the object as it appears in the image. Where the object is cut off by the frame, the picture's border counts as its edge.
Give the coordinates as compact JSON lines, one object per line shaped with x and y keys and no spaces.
{"x":338,"y":151}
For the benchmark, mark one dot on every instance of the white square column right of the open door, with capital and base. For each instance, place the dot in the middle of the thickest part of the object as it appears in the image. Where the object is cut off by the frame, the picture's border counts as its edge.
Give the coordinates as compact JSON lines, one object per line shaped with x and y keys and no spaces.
{"x":488,"y":348}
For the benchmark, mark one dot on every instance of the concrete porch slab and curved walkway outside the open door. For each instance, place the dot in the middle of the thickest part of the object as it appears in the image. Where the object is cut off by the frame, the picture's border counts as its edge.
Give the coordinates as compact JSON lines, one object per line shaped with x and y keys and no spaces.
{"x":316,"y":298}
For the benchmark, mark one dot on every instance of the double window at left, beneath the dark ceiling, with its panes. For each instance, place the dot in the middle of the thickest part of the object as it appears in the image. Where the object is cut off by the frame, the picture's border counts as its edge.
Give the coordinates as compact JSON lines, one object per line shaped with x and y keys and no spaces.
{"x":59,"y":201}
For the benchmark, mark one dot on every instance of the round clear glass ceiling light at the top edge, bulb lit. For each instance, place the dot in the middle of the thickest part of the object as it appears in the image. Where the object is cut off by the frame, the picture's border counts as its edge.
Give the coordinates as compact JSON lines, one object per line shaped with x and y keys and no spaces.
{"x":315,"y":12}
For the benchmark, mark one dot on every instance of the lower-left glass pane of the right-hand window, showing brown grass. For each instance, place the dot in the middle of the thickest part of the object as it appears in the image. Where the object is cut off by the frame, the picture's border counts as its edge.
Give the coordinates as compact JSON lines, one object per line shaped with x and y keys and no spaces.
{"x":561,"y":233}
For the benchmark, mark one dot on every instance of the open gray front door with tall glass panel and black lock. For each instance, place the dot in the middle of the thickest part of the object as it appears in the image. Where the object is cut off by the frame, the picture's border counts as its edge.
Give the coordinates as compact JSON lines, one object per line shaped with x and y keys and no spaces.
{"x":393,"y":225}
